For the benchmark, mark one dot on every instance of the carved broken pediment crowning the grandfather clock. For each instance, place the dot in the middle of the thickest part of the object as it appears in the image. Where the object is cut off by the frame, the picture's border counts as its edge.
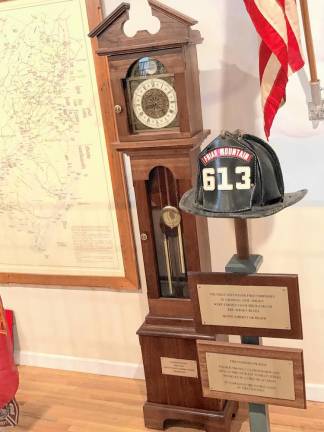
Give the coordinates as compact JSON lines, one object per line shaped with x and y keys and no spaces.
{"x":175,"y":30}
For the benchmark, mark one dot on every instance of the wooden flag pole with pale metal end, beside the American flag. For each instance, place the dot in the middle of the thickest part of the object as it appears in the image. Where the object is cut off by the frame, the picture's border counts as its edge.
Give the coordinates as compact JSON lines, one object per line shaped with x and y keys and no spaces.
{"x":314,"y":81}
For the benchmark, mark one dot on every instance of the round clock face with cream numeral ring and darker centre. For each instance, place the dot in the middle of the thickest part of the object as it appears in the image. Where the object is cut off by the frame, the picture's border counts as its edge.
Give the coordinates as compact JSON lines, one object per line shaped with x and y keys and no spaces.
{"x":155,"y":103}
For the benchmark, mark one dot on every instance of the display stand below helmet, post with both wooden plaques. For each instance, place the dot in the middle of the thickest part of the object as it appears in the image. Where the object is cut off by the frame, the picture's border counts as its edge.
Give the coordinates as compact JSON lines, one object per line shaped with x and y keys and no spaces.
{"x":250,"y":305}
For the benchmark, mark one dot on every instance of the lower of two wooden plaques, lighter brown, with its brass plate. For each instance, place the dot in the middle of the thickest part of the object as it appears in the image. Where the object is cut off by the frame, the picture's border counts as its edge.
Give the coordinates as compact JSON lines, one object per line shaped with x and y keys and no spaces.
{"x":252,"y":373}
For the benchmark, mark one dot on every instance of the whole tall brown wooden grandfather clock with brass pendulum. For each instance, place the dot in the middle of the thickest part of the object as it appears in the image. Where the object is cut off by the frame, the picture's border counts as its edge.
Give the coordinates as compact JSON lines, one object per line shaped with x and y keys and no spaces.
{"x":156,"y":94}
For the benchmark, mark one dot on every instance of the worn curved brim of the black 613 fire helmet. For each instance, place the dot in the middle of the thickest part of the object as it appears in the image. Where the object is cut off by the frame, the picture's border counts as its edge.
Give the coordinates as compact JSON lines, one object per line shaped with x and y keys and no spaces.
{"x":188,"y":205}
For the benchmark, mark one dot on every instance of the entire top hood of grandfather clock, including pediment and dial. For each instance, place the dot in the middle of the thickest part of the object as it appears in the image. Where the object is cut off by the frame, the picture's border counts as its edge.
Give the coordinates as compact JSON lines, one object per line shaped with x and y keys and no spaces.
{"x":154,"y":79}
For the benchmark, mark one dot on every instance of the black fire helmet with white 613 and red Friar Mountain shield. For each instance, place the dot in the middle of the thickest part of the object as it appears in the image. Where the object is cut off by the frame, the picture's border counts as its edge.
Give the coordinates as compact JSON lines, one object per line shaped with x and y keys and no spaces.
{"x":239,"y":176}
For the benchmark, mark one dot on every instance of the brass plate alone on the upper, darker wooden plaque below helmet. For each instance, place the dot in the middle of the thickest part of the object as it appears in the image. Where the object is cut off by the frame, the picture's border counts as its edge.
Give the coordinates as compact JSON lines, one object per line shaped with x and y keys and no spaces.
{"x":244,"y":306}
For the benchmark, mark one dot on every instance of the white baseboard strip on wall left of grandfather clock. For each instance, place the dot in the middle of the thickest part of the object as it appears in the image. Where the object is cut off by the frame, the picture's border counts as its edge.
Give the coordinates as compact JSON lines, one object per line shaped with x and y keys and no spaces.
{"x":78,"y":364}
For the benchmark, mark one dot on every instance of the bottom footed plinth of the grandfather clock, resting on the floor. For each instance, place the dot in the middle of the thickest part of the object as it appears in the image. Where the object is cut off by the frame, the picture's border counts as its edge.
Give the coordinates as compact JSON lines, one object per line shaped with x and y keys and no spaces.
{"x":157,"y":416}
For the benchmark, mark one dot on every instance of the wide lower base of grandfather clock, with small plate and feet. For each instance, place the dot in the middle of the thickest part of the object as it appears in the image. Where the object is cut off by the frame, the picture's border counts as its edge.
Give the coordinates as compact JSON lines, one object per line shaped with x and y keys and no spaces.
{"x":173,"y":384}
